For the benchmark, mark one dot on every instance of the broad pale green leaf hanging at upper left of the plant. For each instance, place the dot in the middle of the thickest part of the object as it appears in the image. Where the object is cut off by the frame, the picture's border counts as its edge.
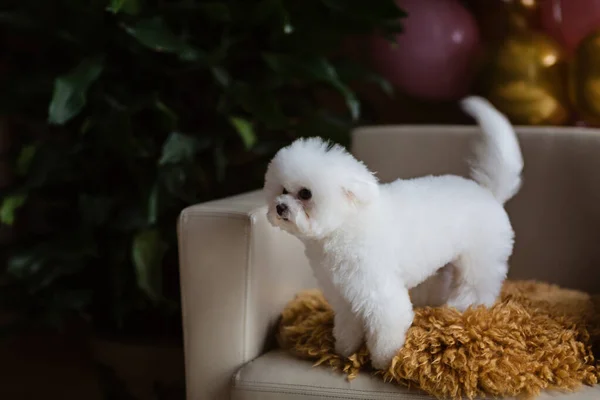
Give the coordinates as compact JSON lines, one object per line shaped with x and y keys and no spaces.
{"x":70,"y":90}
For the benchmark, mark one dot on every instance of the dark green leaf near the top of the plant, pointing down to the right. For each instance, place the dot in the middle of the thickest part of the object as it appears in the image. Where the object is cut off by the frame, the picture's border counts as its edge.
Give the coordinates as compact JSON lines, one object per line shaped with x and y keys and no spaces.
{"x":154,"y":34}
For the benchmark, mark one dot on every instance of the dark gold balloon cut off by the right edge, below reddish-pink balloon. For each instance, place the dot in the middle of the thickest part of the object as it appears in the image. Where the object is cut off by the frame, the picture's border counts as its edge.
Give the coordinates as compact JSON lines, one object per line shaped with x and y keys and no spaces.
{"x":584,"y":79}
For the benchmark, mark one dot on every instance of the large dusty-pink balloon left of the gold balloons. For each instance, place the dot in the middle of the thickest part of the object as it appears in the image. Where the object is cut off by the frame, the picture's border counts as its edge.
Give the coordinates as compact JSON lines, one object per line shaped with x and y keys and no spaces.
{"x":436,"y":53}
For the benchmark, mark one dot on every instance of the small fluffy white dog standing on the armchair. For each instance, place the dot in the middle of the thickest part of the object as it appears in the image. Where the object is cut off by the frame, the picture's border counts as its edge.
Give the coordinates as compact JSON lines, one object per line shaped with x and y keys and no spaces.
{"x":369,"y":243}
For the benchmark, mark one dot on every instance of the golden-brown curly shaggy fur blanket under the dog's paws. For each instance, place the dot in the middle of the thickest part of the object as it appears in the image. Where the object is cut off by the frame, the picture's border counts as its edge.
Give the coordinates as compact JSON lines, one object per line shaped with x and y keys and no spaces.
{"x":536,"y":337}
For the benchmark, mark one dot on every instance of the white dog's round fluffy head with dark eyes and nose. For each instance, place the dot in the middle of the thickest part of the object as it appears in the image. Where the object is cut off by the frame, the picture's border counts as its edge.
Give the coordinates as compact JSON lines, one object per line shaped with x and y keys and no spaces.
{"x":312,"y":187}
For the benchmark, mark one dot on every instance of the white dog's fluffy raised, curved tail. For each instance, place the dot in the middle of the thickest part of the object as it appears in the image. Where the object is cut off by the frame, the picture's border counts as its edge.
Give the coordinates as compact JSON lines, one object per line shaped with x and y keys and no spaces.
{"x":498,"y":163}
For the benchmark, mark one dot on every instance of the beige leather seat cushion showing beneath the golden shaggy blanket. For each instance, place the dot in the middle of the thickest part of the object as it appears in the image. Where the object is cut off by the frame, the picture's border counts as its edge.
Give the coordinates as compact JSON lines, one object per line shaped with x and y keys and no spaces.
{"x":279,"y":376}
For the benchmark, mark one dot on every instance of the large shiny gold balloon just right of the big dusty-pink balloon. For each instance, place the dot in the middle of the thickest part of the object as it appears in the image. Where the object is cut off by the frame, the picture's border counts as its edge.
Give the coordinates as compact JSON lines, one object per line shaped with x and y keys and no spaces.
{"x":525,"y":79}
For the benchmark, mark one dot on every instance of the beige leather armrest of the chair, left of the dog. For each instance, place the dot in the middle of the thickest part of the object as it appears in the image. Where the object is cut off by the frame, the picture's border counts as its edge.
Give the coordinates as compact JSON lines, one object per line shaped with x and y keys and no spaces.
{"x":237,"y":274}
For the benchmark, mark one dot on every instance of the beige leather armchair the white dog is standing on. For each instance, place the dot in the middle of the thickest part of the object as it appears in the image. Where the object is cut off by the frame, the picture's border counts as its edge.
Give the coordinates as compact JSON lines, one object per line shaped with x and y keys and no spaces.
{"x":238,"y":272}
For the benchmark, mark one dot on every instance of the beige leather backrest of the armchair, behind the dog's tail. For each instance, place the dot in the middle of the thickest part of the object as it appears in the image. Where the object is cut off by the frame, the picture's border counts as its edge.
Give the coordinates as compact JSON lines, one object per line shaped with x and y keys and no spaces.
{"x":556,"y":215}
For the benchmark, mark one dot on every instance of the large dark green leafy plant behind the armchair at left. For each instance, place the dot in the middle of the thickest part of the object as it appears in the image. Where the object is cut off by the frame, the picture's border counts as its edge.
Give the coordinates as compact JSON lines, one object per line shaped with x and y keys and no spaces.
{"x":123,"y":112}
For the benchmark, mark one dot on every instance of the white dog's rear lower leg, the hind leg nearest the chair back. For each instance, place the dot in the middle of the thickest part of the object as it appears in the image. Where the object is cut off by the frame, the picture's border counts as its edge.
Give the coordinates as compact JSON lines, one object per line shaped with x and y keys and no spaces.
{"x":478,"y":281}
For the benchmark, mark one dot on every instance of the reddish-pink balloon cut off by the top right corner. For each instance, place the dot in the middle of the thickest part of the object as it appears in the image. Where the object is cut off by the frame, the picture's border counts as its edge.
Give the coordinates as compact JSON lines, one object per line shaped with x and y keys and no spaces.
{"x":569,"y":21}
